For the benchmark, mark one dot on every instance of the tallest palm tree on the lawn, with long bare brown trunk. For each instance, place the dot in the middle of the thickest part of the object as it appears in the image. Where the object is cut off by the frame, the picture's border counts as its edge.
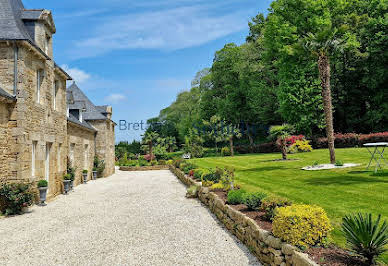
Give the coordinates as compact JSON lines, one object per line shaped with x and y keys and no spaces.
{"x":321,"y":45}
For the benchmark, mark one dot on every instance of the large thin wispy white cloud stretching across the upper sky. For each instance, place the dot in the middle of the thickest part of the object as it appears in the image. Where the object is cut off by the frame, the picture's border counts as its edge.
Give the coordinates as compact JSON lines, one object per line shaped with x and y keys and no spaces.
{"x":169,"y":29}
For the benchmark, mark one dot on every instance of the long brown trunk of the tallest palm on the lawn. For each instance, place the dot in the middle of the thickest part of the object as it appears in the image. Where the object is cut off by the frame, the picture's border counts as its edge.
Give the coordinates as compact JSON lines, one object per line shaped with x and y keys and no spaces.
{"x":324,"y":74}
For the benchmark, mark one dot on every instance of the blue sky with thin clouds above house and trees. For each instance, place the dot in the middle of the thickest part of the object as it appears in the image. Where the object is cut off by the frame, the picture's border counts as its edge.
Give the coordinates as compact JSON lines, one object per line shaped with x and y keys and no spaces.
{"x":137,"y":55}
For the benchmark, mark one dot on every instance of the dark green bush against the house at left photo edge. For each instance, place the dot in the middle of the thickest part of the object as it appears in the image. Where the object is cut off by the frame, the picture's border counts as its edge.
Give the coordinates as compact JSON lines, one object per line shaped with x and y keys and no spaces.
{"x":15,"y":197}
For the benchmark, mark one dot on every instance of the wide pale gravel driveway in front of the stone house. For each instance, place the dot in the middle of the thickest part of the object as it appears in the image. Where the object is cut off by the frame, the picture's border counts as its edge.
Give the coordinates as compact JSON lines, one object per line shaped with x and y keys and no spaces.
{"x":131,"y":218}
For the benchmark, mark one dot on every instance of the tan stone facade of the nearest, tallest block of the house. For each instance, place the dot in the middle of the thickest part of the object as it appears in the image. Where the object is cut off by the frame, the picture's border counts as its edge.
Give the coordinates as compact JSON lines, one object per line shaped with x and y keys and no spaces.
{"x":32,"y":120}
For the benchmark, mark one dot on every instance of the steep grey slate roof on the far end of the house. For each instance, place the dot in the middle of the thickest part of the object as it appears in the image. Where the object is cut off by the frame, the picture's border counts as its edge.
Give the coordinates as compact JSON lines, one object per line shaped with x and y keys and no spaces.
{"x":91,"y":112}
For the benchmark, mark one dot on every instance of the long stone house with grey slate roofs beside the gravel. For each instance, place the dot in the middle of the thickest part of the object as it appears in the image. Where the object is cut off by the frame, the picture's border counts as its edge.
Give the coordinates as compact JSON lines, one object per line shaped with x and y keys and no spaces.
{"x":41,"y":122}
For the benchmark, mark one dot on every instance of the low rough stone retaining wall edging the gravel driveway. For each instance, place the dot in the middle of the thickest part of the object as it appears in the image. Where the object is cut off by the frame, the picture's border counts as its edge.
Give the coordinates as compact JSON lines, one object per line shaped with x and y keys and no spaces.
{"x":269,"y":249}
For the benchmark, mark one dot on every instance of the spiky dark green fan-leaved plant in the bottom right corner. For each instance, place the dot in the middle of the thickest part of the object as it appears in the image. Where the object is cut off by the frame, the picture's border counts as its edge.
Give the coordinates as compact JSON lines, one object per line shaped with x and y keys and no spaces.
{"x":365,"y":236}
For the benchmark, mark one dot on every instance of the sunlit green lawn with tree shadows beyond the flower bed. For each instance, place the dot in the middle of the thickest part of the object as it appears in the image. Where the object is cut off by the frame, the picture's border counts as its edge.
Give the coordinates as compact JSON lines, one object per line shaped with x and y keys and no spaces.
{"x":338,"y":191}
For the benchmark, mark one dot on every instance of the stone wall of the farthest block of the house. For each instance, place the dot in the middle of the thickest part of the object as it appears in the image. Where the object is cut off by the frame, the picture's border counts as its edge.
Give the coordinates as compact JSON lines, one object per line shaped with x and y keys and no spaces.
{"x":105,"y":144}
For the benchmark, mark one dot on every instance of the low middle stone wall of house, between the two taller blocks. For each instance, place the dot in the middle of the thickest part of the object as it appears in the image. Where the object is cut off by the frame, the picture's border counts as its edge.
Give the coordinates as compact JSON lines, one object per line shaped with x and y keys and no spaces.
{"x":81,"y":150}
